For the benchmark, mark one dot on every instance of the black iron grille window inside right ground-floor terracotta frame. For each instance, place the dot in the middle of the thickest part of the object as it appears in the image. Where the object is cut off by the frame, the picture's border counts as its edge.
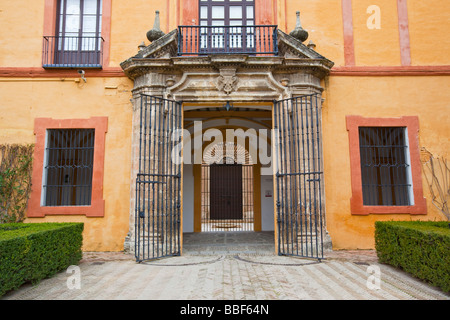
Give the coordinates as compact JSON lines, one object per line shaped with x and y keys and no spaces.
{"x":385,"y":166}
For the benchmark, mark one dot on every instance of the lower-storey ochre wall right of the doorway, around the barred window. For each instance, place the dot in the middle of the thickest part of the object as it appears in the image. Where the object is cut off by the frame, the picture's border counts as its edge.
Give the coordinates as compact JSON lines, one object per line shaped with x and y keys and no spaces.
{"x":387,"y":97}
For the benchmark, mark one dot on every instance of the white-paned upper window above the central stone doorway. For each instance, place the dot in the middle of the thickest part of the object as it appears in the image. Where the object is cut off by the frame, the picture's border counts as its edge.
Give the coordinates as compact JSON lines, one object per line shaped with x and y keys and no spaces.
{"x":226,"y":18}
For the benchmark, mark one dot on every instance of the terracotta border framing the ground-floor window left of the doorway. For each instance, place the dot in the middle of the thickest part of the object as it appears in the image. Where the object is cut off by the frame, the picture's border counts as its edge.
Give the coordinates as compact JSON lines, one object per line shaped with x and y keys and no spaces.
{"x":97,"y":207}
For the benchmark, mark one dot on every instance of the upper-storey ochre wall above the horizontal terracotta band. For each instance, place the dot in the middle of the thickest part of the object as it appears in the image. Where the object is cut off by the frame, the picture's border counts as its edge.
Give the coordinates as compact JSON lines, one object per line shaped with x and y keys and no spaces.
{"x":21,"y":43}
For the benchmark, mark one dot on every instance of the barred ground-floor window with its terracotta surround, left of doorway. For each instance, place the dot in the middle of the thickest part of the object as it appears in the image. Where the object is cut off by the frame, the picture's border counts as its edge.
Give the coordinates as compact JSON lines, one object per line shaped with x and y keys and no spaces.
{"x":68,"y":166}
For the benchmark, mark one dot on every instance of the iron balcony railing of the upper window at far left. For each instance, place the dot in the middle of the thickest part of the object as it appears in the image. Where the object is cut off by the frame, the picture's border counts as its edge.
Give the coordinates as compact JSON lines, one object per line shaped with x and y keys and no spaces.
{"x":72,"y":52}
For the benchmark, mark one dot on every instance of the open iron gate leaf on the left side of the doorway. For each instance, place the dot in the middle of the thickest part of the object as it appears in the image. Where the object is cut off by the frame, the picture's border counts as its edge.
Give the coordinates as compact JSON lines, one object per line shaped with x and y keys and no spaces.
{"x":158,"y":181}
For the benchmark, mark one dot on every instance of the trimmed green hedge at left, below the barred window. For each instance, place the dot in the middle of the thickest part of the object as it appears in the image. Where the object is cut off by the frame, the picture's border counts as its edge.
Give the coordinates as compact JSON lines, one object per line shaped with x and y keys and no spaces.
{"x":30,"y":252}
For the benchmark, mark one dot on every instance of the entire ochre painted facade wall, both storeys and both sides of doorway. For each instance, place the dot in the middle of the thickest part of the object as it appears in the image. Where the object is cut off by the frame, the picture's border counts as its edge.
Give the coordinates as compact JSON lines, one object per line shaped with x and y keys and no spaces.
{"x":58,"y":96}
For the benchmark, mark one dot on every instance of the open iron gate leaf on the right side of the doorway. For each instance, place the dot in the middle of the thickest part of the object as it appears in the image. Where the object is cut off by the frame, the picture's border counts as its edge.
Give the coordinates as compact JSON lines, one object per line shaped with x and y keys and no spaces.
{"x":297,"y":124}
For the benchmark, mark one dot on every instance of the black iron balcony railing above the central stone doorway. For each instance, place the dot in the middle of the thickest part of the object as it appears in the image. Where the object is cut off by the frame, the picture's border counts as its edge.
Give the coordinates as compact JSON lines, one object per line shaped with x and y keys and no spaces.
{"x":205,"y":40}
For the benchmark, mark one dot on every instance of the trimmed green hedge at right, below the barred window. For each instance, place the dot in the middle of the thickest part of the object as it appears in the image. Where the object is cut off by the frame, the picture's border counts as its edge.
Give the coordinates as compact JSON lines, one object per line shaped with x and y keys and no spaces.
{"x":421,"y":248}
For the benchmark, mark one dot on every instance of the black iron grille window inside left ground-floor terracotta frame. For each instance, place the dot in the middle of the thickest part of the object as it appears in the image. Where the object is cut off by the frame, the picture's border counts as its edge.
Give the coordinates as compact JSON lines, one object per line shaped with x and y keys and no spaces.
{"x":69,"y":167}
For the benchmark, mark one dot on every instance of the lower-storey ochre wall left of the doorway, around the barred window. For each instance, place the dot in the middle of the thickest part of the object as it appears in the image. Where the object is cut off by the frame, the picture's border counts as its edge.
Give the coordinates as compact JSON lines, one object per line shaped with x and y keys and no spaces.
{"x":24,"y":100}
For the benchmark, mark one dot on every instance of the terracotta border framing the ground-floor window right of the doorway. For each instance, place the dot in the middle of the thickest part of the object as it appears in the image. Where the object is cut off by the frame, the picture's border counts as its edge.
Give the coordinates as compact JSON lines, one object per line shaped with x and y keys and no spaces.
{"x":356,"y":202}
